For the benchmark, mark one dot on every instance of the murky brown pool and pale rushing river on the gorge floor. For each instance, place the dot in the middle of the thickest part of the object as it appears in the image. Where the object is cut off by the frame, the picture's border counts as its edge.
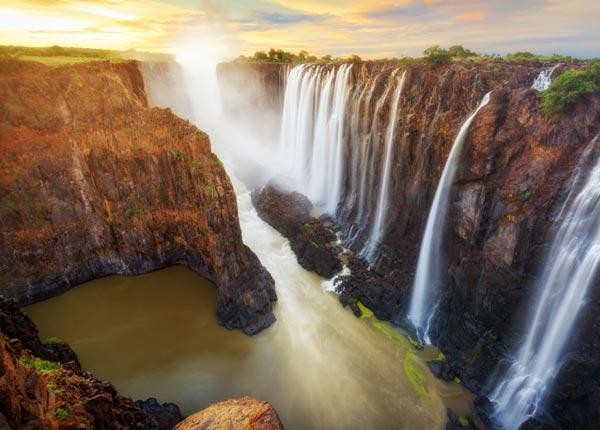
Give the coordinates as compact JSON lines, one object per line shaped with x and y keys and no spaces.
{"x":320,"y":366}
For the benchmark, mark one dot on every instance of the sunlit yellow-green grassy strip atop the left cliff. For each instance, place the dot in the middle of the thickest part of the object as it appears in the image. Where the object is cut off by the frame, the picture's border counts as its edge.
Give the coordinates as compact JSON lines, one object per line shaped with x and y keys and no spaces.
{"x":59,"y":55}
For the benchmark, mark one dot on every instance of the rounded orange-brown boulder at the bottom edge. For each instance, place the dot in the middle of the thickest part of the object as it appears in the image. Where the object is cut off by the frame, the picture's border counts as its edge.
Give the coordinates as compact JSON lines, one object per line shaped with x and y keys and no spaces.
{"x":246,"y":413}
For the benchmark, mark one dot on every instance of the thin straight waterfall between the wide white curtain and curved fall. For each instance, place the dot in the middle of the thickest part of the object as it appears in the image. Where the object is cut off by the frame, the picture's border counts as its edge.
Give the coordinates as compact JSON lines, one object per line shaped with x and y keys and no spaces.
{"x":377,"y":228}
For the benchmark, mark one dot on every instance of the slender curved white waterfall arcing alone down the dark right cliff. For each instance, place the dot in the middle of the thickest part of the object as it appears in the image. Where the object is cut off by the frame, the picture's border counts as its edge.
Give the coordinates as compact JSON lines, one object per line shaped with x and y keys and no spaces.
{"x":425,"y":289}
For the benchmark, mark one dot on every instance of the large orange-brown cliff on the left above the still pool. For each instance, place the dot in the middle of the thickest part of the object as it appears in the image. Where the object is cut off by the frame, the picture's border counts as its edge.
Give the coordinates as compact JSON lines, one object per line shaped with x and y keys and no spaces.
{"x":93,"y":182}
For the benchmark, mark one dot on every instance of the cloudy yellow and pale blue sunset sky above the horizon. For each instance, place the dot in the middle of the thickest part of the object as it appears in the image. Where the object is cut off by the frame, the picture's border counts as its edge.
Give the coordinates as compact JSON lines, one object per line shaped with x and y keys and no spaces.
{"x":372,"y":29}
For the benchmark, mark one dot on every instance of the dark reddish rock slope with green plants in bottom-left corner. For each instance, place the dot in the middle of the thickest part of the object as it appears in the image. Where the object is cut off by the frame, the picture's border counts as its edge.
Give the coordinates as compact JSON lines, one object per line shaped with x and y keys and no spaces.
{"x":39,"y":389}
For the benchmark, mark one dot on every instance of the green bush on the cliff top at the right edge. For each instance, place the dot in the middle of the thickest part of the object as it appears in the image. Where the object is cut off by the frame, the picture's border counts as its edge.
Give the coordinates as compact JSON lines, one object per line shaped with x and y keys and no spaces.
{"x":571,"y":87}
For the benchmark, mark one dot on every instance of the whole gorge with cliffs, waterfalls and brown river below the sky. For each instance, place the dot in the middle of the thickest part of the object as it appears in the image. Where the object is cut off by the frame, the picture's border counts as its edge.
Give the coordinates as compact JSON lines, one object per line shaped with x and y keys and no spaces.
{"x":439,"y":198}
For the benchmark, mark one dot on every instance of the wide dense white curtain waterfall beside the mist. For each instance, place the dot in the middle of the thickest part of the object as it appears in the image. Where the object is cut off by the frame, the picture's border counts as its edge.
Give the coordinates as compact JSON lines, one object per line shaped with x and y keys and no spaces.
{"x":312,"y":132}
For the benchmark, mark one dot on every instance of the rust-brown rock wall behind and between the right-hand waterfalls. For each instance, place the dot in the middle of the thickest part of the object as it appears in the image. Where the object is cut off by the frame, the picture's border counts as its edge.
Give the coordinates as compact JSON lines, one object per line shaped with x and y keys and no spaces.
{"x":512,"y":178}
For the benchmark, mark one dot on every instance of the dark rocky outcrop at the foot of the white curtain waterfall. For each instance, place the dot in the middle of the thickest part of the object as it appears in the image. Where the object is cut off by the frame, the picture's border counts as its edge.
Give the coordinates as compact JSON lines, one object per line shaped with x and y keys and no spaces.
{"x":311,"y":239}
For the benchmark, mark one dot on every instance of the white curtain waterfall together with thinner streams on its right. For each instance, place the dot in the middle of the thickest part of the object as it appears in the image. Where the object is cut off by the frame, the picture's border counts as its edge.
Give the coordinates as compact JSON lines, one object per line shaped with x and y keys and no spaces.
{"x":328,"y":120}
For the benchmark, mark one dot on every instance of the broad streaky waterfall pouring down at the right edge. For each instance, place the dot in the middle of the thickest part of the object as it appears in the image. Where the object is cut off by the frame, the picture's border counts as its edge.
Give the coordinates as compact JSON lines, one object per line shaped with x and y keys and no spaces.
{"x":569,"y":271}
